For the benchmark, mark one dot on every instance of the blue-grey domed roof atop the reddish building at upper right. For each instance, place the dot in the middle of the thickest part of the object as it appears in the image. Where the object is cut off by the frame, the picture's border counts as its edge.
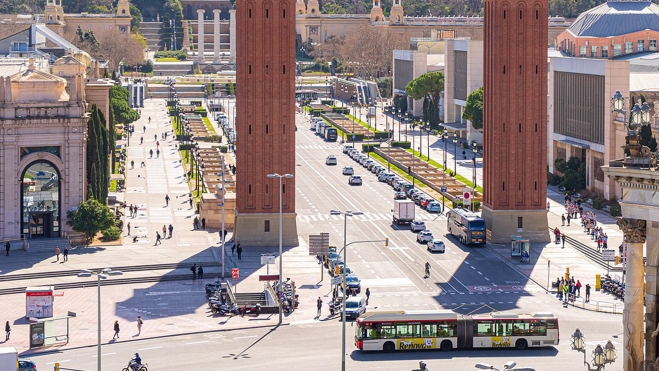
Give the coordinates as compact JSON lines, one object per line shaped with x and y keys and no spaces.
{"x":615,"y":18}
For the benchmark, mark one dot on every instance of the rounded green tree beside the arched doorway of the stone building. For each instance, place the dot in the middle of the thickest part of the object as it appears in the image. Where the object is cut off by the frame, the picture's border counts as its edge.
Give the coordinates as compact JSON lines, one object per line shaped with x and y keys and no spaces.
{"x":90,"y":218}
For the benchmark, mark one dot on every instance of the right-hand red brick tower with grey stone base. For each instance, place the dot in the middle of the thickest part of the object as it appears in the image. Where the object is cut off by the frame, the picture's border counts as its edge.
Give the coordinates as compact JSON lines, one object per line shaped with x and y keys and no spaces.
{"x":515,"y":120}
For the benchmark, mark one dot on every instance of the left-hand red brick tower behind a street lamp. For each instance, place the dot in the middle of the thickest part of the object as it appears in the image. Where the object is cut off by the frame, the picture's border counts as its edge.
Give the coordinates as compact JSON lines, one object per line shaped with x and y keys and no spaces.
{"x":265,"y":121}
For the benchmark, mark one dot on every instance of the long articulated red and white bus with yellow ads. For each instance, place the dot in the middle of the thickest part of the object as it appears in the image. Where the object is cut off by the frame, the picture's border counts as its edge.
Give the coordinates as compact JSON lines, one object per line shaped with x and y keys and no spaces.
{"x":446,"y":330}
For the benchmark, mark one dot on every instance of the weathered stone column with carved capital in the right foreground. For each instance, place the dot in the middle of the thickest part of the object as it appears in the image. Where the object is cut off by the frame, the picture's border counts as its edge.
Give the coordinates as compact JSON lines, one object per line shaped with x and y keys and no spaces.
{"x":634,"y":231}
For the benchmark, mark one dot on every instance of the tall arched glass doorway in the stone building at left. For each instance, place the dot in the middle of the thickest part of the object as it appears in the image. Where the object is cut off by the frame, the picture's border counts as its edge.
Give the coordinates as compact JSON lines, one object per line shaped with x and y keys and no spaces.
{"x":40,"y":200}
